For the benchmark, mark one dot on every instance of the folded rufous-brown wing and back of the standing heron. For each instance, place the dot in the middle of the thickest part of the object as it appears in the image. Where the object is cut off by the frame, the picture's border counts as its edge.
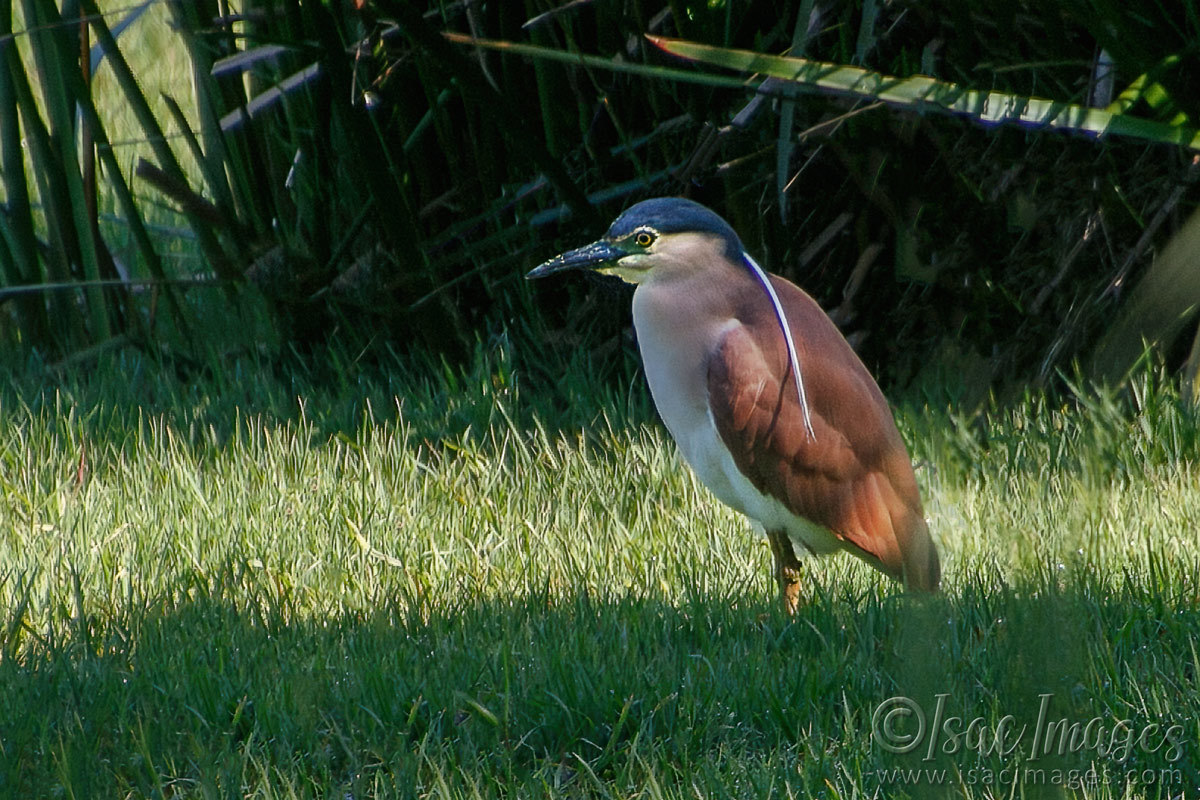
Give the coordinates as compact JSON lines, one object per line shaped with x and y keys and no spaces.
{"x":854,"y":477}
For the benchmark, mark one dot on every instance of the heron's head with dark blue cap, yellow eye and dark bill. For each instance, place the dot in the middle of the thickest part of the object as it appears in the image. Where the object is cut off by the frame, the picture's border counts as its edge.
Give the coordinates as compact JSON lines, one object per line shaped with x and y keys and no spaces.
{"x":652,"y":239}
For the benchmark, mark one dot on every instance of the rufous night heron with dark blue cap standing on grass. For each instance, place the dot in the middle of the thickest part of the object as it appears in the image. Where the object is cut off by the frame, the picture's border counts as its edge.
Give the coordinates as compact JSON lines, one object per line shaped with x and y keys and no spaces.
{"x":770,"y":406}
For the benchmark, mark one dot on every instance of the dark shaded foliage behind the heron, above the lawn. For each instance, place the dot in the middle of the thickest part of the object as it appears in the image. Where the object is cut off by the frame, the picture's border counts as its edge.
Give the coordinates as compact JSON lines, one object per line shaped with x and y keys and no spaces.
{"x":380,"y":182}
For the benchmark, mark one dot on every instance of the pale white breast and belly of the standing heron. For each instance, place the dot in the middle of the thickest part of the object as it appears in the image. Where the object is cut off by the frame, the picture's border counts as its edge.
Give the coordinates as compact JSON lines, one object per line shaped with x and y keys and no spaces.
{"x":679,"y":386}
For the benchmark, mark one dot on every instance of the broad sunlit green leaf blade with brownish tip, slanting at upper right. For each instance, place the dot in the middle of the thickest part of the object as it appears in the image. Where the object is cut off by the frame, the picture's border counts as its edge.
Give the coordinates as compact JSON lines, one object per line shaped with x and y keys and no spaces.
{"x":925,"y":94}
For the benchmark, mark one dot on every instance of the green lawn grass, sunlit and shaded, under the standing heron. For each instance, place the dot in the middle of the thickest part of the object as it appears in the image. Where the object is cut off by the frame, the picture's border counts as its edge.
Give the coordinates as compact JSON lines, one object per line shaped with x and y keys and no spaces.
{"x":257,"y":582}
